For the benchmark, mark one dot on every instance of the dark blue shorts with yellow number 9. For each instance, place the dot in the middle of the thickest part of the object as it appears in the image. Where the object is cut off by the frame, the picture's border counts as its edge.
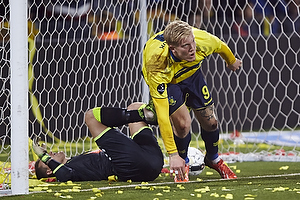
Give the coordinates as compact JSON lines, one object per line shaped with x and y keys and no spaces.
{"x":192,"y":91}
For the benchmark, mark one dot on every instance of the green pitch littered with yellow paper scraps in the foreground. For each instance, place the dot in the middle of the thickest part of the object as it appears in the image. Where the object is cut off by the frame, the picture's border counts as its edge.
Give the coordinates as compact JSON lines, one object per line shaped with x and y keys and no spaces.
{"x":256,"y":180}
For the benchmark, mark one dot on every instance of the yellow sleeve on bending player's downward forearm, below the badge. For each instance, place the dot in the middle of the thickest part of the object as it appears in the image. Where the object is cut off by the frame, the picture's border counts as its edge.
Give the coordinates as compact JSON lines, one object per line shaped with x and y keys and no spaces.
{"x":162,"y":111}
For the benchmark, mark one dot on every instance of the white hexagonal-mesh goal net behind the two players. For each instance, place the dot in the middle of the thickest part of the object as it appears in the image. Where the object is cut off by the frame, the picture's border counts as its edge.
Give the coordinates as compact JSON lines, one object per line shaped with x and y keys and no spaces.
{"x":87,"y":53}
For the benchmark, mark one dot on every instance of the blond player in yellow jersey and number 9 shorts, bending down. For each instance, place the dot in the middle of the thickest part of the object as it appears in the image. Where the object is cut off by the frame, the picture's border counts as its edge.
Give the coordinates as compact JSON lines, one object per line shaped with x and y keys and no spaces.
{"x":171,"y":68}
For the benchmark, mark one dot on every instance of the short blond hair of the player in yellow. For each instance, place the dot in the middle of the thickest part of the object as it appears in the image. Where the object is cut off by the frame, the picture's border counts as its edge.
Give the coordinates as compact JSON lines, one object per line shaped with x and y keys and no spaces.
{"x":176,"y":31}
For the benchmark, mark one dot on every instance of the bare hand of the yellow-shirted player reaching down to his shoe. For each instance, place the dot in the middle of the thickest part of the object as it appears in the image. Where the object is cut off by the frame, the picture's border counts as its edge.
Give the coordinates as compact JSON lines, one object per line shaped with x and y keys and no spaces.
{"x":177,"y":166}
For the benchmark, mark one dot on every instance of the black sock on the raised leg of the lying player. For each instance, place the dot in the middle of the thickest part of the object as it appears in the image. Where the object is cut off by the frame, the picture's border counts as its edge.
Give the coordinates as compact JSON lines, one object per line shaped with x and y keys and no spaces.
{"x":112,"y":117}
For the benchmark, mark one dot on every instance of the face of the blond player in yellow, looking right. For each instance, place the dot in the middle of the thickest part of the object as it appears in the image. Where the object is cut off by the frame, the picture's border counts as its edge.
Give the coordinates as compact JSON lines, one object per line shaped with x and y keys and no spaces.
{"x":186,"y":49}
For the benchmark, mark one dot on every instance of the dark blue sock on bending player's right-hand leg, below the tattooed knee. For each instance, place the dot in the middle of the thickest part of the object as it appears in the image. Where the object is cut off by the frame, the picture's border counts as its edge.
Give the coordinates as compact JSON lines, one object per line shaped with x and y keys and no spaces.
{"x":211,"y":140}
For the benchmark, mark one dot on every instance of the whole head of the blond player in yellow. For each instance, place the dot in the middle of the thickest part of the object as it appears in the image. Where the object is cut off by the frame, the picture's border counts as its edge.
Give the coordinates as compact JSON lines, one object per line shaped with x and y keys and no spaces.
{"x":181,"y":40}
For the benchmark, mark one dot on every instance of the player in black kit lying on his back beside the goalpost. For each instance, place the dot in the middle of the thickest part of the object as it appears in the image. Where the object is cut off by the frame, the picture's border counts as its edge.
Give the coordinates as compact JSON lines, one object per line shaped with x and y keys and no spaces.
{"x":136,"y":159}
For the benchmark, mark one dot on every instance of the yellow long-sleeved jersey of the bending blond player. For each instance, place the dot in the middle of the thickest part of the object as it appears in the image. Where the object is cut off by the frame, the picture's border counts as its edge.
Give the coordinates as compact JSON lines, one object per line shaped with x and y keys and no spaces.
{"x":161,"y":67}
